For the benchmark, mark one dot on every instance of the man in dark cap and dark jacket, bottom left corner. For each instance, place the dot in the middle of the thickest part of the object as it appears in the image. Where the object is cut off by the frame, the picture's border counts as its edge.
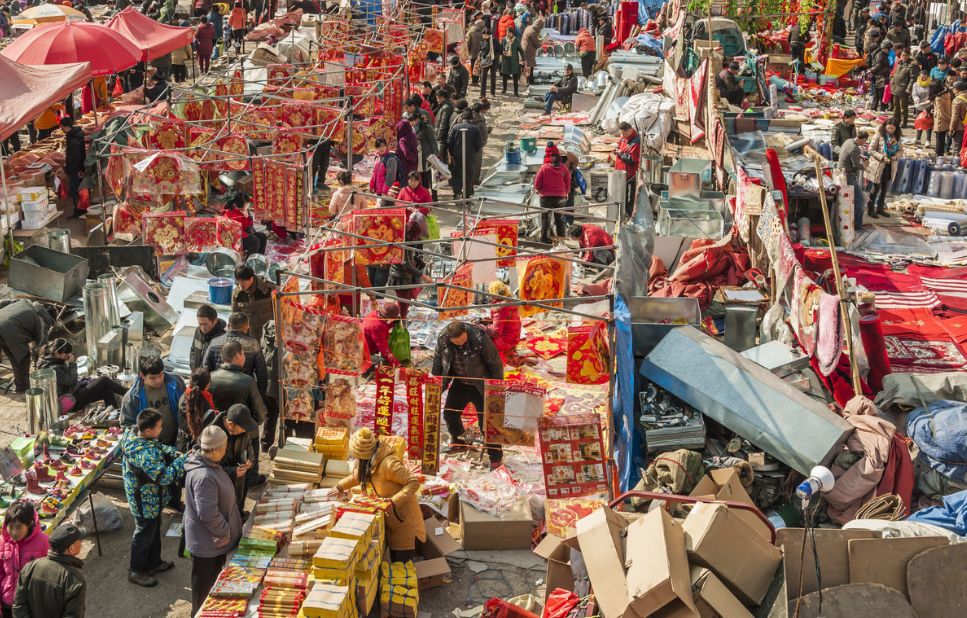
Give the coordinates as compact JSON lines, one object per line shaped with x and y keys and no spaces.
{"x":53,"y":585}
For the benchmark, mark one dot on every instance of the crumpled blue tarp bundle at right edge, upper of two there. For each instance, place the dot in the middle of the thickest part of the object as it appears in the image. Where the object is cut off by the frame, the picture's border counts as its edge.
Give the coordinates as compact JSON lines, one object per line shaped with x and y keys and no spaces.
{"x":940,"y":430}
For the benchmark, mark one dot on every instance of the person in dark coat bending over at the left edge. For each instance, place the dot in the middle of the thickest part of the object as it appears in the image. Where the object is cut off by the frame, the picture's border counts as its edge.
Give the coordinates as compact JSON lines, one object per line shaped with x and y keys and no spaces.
{"x":22,"y":323}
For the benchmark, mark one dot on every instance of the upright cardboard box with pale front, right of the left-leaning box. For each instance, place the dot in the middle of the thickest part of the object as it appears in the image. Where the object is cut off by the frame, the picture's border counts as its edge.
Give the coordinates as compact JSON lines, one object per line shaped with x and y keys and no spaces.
{"x":658,"y":575}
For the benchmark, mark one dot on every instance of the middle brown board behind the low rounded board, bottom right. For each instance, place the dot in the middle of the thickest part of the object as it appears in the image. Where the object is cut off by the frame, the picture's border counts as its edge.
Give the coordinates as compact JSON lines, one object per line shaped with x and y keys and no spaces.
{"x":884,"y":561}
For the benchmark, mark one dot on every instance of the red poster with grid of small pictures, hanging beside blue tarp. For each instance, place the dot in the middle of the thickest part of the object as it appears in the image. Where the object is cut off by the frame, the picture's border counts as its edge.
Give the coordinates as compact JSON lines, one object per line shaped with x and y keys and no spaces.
{"x":573,"y":456}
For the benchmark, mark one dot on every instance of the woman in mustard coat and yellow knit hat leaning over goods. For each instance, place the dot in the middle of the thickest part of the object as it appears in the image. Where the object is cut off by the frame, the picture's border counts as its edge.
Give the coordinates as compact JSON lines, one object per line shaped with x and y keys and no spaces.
{"x":380,"y":471}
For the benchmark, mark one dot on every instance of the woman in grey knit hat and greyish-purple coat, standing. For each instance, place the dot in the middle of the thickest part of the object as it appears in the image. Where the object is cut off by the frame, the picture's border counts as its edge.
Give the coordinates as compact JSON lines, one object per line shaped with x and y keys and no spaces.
{"x":212,"y":523}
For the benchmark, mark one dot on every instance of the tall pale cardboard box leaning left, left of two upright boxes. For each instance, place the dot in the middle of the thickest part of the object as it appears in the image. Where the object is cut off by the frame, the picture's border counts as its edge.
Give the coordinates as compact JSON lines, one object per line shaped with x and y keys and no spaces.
{"x":602,"y":543}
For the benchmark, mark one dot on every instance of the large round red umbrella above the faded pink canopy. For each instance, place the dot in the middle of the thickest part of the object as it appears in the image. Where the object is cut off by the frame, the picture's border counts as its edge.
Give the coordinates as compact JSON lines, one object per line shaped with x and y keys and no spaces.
{"x":63,"y":43}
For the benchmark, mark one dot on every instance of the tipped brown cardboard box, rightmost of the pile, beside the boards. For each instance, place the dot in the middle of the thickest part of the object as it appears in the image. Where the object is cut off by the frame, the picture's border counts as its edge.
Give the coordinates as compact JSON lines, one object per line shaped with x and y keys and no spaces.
{"x":717,"y":538}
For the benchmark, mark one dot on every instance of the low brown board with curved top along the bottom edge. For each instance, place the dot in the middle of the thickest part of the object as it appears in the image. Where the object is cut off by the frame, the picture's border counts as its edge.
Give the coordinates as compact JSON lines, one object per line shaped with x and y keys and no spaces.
{"x":854,"y":601}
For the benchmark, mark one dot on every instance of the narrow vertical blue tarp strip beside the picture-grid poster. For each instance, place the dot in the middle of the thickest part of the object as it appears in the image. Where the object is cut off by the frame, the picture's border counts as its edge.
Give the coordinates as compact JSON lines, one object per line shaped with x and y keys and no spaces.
{"x":628,"y":445}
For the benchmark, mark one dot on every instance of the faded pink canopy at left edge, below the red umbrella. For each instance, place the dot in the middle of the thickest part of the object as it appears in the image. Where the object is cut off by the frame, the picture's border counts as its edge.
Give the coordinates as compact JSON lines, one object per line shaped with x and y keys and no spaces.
{"x":26,"y":91}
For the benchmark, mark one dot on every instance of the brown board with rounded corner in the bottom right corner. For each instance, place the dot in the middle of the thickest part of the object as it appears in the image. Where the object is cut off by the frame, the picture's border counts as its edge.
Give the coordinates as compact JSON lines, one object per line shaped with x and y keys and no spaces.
{"x":937,"y":580}
